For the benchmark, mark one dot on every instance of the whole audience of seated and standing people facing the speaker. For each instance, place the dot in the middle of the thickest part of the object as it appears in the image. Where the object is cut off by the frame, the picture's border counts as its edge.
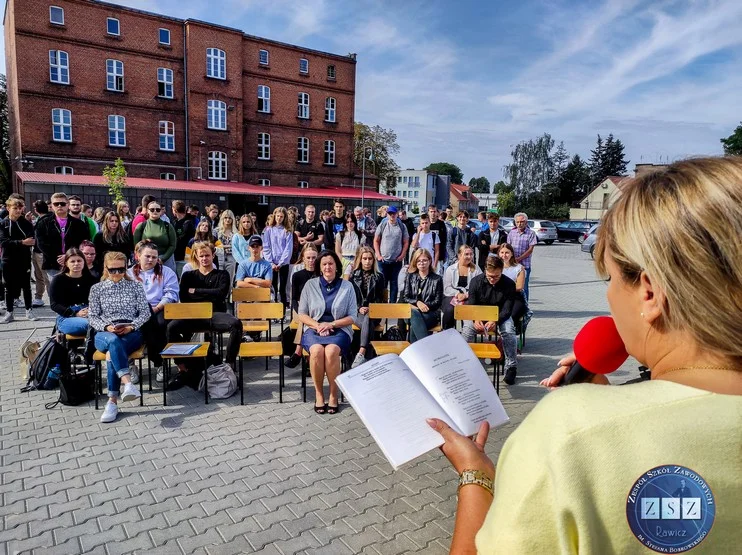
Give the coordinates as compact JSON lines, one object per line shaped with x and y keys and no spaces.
{"x":115,"y":280}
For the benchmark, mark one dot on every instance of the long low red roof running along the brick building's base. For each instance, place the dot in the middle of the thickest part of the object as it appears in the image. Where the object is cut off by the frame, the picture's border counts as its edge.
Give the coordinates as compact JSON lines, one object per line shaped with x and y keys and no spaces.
{"x":227,"y":187}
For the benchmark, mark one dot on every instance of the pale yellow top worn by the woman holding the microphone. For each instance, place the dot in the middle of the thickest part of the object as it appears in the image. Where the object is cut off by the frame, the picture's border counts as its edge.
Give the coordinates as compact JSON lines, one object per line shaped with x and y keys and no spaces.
{"x":565,"y":475}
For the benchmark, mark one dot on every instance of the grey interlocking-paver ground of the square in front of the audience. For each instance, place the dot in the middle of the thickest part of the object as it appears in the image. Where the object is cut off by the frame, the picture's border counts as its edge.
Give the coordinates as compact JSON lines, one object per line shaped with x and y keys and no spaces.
{"x":260,"y":478}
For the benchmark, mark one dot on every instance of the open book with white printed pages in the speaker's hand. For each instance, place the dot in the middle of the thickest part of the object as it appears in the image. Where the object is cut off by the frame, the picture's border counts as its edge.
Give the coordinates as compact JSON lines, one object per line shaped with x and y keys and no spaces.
{"x":437,"y":377}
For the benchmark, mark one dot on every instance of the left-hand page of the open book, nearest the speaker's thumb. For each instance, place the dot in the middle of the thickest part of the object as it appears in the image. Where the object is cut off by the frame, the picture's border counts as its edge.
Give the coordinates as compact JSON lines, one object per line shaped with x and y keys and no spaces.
{"x":393,"y":405}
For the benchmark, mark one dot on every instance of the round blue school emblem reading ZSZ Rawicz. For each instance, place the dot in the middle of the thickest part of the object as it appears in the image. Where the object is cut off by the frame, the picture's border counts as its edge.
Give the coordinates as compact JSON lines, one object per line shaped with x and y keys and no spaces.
{"x":670,"y":509}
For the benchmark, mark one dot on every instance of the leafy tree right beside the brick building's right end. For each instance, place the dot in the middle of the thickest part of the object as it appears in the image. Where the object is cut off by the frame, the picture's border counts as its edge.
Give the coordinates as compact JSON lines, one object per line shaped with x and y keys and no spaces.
{"x":380,"y":146}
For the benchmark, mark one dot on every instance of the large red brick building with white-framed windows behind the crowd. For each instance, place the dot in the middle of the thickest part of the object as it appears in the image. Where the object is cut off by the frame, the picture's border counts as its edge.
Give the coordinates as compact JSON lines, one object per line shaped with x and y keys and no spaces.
{"x":89,"y":82}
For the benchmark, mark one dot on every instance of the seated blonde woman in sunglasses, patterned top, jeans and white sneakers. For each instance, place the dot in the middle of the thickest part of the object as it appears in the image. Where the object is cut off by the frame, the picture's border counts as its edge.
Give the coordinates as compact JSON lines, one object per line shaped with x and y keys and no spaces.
{"x":117,"y":310}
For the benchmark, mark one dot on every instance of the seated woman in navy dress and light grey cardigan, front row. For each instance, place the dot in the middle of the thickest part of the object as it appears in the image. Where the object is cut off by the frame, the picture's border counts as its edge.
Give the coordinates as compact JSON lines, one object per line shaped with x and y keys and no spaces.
{"x":327,"y":308}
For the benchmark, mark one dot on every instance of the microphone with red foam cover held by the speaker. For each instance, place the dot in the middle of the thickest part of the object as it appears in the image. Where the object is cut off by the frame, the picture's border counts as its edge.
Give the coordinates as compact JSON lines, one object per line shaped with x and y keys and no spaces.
{"x":598,"y":349}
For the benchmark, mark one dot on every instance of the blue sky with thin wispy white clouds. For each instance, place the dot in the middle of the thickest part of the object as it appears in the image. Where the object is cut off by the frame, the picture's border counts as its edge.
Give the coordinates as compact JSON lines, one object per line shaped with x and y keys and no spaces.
{"x":465,"y":81}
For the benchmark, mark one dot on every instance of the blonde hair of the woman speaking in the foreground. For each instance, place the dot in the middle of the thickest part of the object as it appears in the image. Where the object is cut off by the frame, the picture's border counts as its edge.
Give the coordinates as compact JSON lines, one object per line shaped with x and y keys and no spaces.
{"x":681,"y":225}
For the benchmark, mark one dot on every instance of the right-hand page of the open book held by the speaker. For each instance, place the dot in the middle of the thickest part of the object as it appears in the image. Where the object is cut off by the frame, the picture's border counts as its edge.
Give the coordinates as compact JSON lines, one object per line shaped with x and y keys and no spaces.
{"x":454,"y":376}
